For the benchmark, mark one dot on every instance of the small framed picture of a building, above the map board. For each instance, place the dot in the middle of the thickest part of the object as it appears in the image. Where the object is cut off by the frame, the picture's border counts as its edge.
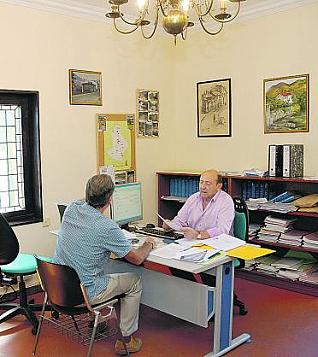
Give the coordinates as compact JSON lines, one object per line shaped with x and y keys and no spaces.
{"x":85,"y":87}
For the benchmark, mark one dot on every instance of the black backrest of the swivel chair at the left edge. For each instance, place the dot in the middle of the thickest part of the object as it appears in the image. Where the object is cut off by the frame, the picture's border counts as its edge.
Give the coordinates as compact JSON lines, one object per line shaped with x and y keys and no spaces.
{"x":9,"y":244}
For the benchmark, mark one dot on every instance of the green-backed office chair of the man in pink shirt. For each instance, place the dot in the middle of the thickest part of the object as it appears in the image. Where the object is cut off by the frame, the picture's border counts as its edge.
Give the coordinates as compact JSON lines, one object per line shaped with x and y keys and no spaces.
{"x":241,"y":223}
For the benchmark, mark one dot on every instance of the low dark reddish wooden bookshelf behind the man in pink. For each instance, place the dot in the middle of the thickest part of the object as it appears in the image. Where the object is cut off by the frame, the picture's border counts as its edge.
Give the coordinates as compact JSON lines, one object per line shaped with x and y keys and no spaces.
{"x":248,"y":187}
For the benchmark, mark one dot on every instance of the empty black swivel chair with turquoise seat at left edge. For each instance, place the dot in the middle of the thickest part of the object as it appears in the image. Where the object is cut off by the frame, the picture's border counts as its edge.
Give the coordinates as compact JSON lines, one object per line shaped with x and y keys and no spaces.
{"x":13,"y":267}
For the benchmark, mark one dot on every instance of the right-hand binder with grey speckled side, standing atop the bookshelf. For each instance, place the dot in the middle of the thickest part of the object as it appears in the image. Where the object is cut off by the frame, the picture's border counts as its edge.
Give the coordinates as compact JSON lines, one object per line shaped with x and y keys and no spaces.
{"x":293,"y":160}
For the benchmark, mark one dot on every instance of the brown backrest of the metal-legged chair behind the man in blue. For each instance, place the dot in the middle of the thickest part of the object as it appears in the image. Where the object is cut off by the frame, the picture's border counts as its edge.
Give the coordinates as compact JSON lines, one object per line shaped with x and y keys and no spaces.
{"x":61,"y":283}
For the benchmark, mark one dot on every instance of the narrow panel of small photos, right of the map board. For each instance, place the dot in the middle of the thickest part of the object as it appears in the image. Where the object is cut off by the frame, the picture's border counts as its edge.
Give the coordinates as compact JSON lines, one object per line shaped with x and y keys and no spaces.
{"x":147,"y":113}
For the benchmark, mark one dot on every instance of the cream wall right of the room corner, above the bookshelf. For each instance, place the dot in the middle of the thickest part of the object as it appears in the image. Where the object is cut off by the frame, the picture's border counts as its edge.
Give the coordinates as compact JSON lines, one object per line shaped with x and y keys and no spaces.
{"x":267,"y":47}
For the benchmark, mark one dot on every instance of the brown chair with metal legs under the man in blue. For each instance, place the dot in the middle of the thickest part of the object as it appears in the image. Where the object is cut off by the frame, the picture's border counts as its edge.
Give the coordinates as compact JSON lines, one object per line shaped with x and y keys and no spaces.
{"x":67,"y":296}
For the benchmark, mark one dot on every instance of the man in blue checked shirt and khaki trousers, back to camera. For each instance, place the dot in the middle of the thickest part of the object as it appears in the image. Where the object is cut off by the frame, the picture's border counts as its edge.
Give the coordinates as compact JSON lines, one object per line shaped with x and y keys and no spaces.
{"x":86,"y":240}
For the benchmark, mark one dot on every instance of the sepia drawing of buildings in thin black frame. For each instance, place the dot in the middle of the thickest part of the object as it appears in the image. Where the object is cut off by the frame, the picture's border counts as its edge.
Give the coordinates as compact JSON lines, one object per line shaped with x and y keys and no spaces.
{"x":214,"y":108}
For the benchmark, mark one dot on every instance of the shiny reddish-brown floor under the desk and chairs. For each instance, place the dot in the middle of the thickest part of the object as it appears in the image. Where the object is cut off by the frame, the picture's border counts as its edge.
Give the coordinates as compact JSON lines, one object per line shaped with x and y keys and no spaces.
{"x":282,"y":324}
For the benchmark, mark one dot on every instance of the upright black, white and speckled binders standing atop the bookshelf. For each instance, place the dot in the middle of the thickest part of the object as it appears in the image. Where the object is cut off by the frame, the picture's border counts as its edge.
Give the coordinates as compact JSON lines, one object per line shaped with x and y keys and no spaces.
{"x":286,"y":160}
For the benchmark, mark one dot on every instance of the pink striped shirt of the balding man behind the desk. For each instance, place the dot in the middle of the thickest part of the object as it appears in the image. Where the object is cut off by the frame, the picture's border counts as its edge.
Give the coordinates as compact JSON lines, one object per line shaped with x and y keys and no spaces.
{"x":217,"y":218}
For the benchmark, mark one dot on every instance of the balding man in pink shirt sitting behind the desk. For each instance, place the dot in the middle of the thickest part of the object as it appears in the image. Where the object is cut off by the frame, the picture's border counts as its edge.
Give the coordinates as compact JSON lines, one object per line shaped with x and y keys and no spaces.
{"x":207,"y":213}
